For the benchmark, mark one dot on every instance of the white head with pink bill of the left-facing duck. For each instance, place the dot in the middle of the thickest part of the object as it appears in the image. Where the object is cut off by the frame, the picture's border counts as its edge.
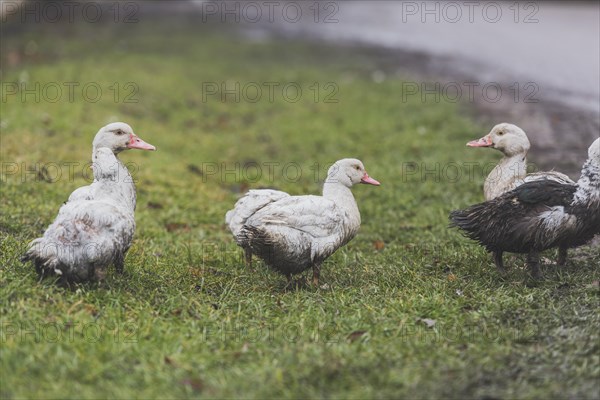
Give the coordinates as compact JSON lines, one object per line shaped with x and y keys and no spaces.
{"x":507,"y":138}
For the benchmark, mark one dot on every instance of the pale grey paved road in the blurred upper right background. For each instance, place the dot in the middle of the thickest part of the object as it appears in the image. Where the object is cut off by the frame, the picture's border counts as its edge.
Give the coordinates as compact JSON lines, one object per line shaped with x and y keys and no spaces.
{"x":554,"y":44}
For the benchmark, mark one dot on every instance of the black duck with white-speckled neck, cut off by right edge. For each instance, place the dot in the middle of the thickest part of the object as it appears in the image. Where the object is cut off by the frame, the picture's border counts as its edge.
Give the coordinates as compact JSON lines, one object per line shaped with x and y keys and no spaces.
{"x":537,"y":215}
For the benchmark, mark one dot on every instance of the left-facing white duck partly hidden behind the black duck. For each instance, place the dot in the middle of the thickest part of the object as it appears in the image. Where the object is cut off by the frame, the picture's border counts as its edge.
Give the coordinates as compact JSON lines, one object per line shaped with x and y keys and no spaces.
{"x":511,"y":171}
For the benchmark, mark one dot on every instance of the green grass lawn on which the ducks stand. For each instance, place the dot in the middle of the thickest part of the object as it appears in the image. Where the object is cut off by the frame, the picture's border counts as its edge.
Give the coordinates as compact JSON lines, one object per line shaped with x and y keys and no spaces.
{"x":186,"y":319}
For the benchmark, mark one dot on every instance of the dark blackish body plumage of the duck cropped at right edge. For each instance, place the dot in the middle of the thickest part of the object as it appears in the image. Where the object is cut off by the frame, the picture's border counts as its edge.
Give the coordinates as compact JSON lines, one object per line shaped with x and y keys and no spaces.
{"x":517,"y":221}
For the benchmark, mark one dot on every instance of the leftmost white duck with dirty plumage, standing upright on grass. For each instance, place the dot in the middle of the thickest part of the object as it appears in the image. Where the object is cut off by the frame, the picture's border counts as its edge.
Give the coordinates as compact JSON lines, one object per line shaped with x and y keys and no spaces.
{"x":96,"y":230}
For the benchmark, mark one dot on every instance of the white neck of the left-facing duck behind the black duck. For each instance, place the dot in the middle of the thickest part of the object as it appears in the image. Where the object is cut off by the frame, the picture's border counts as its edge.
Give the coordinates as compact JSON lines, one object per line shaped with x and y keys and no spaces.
{"x":504,"y":175}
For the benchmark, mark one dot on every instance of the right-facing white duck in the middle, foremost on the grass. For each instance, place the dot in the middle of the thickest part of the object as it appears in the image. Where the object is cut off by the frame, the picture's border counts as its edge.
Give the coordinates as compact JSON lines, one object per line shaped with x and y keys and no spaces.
{"x":295,"y":233}
